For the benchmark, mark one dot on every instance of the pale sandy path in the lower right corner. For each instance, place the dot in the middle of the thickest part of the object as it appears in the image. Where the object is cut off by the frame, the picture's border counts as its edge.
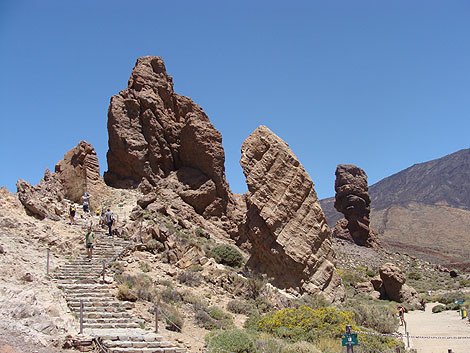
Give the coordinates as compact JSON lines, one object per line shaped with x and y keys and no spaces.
{"x":447,"y":324}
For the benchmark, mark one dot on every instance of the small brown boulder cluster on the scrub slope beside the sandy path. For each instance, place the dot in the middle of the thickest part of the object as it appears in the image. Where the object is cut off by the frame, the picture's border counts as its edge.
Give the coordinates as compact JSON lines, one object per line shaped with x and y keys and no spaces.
{"x":389,"y":284}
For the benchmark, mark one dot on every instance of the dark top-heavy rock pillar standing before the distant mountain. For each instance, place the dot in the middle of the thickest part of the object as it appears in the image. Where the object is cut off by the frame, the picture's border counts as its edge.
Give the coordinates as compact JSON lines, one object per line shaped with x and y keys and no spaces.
{"x":352,"y":200}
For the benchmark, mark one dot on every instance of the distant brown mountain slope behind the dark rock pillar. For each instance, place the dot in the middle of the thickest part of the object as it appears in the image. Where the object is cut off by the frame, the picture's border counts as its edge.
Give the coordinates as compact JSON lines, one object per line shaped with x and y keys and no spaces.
{"x":424,"y":209}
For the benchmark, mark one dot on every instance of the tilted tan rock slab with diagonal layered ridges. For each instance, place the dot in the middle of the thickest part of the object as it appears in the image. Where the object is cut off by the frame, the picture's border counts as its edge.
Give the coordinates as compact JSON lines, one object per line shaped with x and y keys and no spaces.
{"x":284,"y":224}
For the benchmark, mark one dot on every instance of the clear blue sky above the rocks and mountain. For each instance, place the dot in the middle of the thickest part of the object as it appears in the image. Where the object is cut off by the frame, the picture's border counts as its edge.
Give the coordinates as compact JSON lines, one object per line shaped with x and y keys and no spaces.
{"x":381,"y":85}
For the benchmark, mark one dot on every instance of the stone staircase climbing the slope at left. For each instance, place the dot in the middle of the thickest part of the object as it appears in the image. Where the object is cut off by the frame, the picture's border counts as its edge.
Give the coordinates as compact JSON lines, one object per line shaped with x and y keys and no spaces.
{"x":104,"y":318}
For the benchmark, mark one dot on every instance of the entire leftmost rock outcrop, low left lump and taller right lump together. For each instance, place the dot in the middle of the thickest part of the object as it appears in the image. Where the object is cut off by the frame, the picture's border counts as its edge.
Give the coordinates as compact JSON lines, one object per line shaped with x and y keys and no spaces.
{"x":78,"y":172}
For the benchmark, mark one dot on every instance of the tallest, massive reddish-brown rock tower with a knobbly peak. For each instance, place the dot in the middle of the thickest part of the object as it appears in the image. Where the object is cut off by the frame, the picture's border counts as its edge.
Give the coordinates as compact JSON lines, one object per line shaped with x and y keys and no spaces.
{"x":154,"y":132}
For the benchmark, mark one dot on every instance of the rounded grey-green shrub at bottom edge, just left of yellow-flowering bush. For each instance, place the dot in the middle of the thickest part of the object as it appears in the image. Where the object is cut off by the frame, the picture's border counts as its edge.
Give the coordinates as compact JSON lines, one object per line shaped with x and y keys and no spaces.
{"x":236,"y":341}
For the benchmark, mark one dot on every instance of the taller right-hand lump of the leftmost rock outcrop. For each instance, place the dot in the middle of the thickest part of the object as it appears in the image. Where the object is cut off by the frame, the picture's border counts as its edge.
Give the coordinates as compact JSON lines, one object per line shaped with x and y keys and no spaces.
{"x":79,"y":171}
